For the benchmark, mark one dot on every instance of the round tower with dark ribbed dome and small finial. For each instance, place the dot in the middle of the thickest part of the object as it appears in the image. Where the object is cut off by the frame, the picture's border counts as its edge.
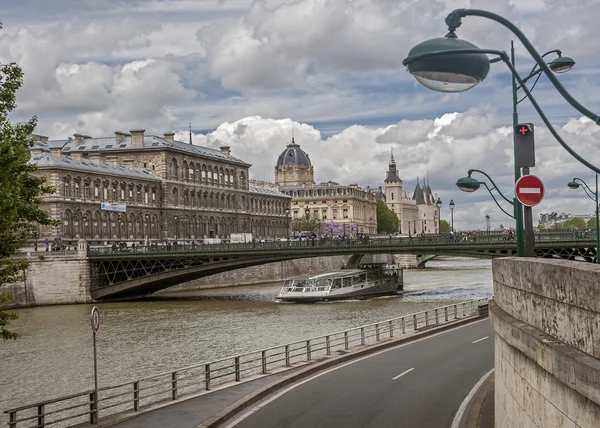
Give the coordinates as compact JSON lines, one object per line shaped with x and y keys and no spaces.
{"x":294,"y":167}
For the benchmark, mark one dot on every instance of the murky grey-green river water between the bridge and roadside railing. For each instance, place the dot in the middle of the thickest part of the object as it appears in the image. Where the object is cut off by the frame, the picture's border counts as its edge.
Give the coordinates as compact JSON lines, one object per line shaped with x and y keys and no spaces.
{"x":55,"y":357}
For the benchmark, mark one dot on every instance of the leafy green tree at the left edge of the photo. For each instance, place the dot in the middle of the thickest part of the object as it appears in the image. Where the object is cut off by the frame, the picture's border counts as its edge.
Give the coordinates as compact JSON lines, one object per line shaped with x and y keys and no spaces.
{"x":21,"y":192}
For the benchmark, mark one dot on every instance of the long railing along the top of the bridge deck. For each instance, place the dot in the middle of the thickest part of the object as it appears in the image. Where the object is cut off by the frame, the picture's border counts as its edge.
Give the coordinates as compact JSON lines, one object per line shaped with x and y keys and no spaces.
{"x":431,"y":241}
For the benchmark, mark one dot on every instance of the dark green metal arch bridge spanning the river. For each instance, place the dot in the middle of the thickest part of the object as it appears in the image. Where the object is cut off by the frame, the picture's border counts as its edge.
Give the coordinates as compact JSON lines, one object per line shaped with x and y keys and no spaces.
{"x":118,"y":273}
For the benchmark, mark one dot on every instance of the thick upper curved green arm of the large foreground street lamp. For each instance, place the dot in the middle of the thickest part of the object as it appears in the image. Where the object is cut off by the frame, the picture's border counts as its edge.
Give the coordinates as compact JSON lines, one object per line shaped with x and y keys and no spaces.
{"x":454,"y":21}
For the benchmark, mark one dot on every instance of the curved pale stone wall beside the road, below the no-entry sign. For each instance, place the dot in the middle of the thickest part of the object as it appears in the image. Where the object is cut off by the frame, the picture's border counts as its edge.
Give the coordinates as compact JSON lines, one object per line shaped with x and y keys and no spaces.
{"x":546,"y":318}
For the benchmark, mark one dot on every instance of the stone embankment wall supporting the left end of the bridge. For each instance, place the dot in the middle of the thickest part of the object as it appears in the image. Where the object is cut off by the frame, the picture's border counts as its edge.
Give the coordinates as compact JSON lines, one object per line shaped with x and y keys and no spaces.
{"x":51,"y":280}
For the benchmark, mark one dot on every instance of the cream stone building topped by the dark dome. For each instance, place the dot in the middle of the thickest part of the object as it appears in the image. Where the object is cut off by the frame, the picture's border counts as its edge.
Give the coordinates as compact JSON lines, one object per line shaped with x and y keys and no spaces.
{"x":340,"y":209}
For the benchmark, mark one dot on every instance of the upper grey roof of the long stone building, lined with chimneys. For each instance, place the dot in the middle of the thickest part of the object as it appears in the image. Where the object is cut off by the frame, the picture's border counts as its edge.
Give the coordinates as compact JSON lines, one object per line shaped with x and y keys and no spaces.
{"x":106,"y":144}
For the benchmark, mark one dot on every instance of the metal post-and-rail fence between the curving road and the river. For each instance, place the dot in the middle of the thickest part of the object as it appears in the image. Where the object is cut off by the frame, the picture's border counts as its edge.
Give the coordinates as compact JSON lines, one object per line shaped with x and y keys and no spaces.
{"x":139,"y":393}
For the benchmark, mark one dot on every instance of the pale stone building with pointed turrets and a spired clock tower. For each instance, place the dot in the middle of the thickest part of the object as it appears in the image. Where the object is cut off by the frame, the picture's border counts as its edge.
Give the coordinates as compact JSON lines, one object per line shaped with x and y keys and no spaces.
{"x":417,"y":211}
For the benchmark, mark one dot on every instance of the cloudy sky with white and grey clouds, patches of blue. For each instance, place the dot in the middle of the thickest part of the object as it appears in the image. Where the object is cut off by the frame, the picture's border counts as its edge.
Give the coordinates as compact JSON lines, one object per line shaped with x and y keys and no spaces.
{"x":246,"y":72}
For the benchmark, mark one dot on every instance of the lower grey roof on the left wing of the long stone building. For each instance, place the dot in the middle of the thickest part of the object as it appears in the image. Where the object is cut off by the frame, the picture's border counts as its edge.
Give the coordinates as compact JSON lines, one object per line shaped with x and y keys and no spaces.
{"x":47,"y":160}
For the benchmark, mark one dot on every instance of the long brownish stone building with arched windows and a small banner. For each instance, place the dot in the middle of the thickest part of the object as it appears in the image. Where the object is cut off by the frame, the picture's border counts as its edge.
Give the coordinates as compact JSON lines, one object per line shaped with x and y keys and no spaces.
{"x":138,"y":187}
